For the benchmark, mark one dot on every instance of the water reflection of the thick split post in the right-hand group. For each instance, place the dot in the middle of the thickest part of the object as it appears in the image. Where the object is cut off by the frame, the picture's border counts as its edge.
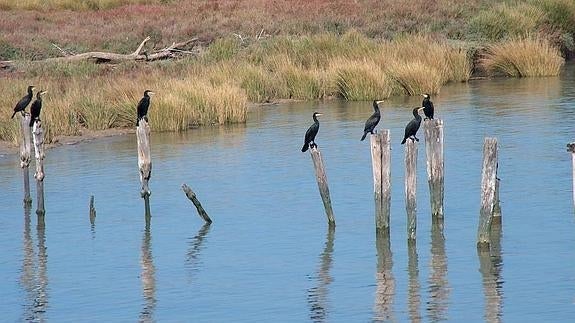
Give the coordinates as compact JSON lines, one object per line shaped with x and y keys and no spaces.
{"x":385,"y":282}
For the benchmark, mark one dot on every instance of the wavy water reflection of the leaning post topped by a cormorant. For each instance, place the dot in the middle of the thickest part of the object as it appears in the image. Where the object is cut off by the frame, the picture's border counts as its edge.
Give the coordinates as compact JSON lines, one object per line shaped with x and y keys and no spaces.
{"x":317,"y":296}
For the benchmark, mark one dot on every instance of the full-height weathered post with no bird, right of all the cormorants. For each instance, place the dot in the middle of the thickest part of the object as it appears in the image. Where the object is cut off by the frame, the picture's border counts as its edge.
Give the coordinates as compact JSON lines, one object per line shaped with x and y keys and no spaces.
{"x":488,"y":183}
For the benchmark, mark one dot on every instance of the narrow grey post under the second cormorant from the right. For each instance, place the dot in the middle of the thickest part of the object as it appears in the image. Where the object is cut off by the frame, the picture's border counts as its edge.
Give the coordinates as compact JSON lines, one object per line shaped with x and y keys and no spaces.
{"x":410,"y":187}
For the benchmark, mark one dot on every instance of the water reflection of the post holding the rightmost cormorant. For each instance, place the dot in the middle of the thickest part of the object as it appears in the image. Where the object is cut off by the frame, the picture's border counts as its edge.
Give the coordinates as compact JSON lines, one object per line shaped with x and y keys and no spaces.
{"x":438,"y":284}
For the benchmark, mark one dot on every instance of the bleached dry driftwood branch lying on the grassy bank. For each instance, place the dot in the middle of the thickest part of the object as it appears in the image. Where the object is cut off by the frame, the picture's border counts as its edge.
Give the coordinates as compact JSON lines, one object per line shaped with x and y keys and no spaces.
{"x":104,"y":57}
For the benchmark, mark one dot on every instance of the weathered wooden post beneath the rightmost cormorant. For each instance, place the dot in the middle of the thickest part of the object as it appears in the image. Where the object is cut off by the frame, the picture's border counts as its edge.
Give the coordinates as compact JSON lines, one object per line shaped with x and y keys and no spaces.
{"x":434,"y":152}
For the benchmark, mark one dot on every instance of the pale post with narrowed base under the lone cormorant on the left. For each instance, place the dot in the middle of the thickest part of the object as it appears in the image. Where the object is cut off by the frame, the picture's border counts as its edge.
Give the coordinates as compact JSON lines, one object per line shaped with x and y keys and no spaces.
{"x":144,"y":159}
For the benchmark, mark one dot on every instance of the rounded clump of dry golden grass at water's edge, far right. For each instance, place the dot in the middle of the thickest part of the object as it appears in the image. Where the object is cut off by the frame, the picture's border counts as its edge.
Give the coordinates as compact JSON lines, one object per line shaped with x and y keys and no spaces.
{"x":523,"y":57}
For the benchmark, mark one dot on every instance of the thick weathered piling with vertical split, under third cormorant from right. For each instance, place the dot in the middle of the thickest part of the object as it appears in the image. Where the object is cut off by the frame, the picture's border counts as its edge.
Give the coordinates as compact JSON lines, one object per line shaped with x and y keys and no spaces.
{"x":381,"y":161}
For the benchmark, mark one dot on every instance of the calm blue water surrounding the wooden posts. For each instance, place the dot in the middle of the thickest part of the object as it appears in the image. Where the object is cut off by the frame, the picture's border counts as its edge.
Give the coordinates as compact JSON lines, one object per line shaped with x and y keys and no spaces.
{"x":269,"y":255}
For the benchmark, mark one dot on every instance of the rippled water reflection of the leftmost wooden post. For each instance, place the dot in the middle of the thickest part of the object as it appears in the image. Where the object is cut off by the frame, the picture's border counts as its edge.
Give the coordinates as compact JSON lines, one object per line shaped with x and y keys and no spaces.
{"x":27,"y":279}
